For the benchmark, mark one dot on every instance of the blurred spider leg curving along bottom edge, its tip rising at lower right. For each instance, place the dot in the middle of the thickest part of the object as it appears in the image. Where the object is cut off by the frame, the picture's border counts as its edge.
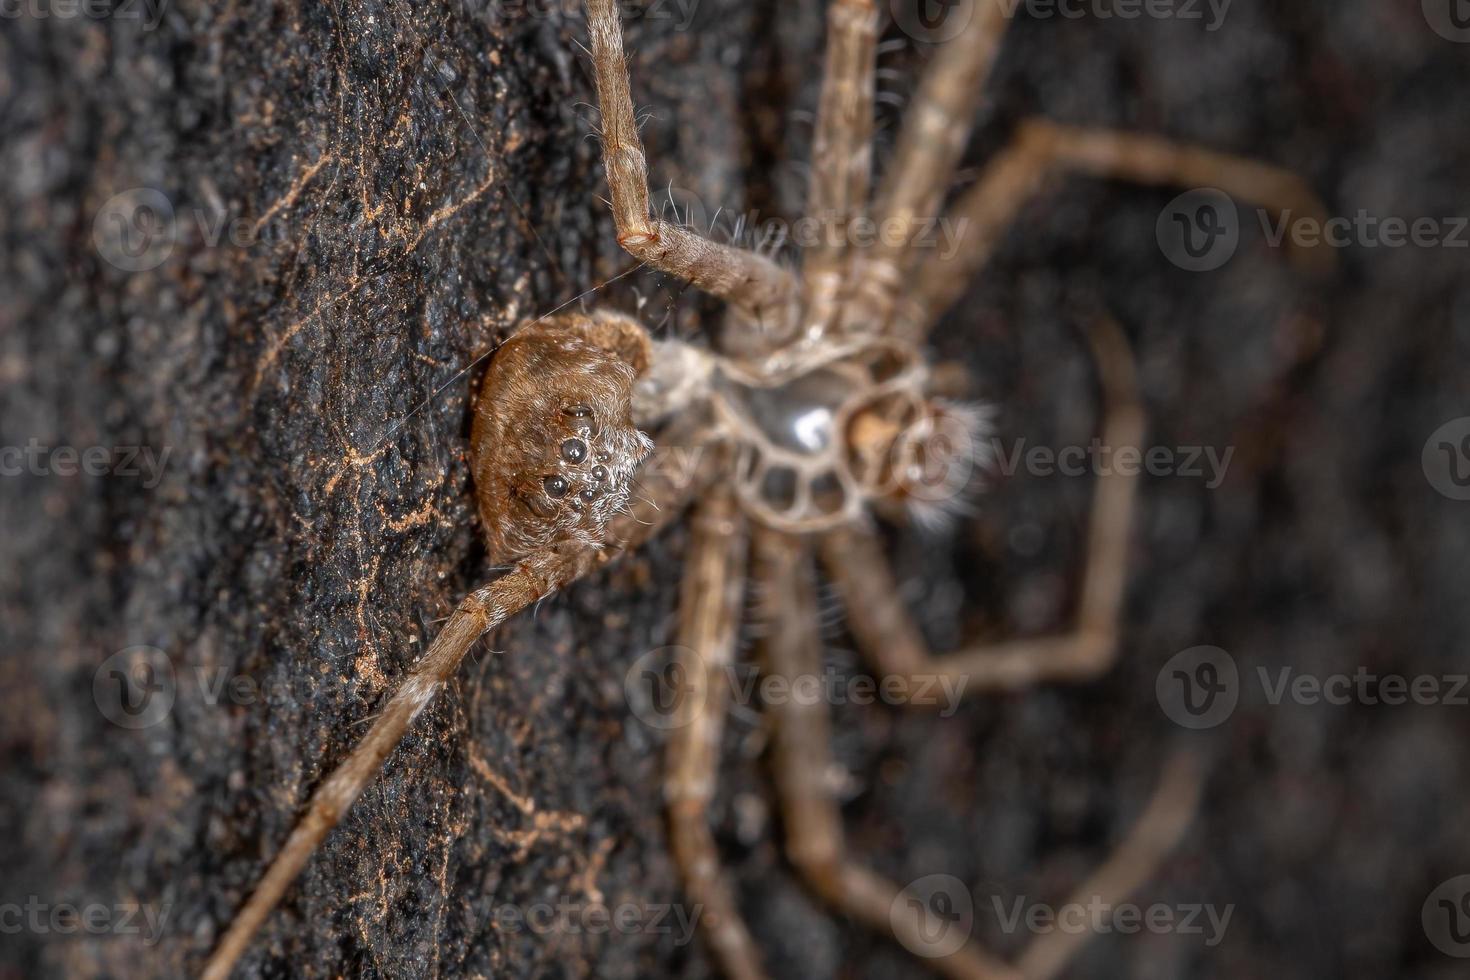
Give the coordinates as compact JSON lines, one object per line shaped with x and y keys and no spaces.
{"x":814,"y":824}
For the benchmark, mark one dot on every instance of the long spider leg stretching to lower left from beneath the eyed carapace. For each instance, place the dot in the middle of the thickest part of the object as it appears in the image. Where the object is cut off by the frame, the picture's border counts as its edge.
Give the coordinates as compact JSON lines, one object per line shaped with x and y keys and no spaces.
{"x":481,"y":612}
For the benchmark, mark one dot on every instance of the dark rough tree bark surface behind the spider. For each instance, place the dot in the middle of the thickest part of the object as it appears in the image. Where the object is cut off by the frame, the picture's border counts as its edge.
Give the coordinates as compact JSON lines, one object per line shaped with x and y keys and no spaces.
{"x":367,"y":198}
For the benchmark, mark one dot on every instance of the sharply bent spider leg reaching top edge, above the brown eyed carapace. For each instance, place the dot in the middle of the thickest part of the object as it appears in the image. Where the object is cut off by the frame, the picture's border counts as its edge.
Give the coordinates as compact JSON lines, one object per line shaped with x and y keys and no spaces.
{"x":753,"y":284}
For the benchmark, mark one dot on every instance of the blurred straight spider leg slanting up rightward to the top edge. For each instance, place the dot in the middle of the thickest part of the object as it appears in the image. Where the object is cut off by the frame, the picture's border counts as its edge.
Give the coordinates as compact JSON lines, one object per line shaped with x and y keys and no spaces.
{"x":937,"y":127}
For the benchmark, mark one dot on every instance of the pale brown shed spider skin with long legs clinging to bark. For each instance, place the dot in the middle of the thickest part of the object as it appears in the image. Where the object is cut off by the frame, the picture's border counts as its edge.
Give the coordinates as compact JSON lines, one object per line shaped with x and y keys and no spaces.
{"x":815,"y":414}
